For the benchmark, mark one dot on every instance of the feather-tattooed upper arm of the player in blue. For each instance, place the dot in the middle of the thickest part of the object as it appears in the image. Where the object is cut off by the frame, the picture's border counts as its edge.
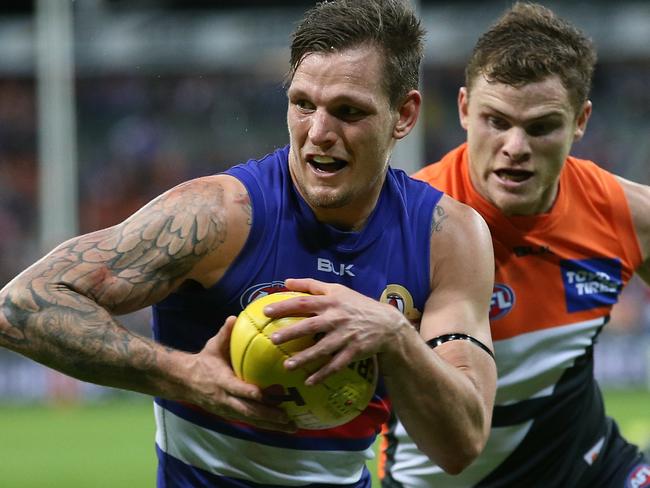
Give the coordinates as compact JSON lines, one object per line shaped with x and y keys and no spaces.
{"x":141,"y":260}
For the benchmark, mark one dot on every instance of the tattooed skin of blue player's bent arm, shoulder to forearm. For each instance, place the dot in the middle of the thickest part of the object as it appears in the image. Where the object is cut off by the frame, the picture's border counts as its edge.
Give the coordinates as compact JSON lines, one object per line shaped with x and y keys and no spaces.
{"x":59,"y":310}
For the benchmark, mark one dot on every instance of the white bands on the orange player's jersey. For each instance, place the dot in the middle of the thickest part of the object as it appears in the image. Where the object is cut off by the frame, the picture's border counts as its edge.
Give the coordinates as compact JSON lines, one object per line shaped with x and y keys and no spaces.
{"x":529,"y":366}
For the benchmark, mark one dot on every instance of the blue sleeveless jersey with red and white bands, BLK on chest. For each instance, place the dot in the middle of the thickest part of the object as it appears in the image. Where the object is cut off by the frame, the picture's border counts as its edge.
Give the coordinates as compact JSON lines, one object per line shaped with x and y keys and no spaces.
{"x":383,"y":261}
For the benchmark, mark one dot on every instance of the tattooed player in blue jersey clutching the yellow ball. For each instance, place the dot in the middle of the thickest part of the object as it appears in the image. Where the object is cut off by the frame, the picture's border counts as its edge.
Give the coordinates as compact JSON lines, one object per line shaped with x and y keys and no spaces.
{"x":199,"y":252}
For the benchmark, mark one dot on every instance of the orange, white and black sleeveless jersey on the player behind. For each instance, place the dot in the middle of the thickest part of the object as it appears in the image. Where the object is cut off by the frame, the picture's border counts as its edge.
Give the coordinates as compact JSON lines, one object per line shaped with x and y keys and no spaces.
{"x":558,"y":275}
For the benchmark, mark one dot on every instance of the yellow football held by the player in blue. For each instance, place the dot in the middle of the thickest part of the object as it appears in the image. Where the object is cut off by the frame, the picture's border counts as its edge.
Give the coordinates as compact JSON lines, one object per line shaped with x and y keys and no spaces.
{"x":255,"y":359}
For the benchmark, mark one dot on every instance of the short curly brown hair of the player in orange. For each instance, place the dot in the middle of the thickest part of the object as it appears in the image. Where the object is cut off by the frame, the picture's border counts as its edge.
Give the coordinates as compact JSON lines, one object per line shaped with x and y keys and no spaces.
{"x":529,"y":43}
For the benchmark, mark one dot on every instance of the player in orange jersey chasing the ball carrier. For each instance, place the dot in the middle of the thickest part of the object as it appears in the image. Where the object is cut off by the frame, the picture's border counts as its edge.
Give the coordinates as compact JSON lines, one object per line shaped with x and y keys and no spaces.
{"x":567,"y":237}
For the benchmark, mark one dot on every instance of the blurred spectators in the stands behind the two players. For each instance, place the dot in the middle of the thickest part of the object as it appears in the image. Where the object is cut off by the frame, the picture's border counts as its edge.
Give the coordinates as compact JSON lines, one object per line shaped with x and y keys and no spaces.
{"x":140,"y":135}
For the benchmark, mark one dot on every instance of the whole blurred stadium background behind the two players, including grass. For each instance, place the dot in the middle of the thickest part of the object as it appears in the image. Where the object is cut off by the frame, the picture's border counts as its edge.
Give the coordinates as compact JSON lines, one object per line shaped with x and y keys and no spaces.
{"x":106,"y":103}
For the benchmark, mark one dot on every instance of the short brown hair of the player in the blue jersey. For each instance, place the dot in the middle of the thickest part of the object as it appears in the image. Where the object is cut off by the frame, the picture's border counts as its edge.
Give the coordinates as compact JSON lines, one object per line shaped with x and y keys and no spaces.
{"x":391,"y":25}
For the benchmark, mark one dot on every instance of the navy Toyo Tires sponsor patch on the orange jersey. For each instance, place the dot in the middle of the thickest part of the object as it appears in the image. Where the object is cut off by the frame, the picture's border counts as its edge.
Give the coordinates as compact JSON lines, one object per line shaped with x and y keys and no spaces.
{"x":591,"y":283}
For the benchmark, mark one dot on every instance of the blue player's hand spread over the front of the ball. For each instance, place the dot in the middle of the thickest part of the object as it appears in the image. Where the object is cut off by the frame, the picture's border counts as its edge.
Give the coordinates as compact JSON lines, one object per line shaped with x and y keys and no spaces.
{"x":352,"y":326}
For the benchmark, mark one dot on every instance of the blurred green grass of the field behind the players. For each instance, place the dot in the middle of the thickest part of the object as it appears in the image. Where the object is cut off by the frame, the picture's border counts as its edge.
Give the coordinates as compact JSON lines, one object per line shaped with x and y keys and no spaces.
{"x":112,"y":444}
